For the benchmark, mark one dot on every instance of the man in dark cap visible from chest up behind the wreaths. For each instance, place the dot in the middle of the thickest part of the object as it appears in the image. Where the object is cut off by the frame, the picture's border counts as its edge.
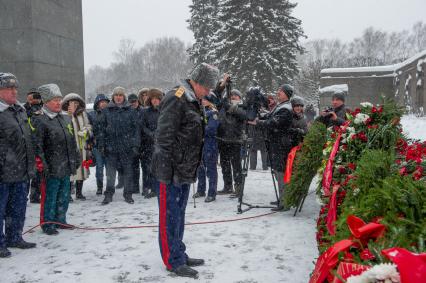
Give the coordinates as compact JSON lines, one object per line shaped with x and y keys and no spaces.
{"x":335,"y":115}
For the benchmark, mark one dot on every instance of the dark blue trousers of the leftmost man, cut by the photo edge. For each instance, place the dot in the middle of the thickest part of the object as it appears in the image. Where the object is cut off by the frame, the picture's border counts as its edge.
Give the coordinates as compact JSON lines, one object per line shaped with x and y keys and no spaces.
{"x":13,"y":205}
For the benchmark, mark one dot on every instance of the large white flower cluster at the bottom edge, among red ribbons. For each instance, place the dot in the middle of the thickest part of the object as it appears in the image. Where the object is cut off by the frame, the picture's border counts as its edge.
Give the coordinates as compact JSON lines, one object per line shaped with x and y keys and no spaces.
{"x":386,"y":273}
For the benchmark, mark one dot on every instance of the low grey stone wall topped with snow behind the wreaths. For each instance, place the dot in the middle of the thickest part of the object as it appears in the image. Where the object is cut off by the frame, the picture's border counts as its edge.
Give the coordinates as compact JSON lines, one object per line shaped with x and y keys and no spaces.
{"x":403,"y":82}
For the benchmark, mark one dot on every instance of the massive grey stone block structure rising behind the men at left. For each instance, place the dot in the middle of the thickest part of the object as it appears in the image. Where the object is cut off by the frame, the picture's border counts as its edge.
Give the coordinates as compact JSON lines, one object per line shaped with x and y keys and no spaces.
{"x":42,"y":42}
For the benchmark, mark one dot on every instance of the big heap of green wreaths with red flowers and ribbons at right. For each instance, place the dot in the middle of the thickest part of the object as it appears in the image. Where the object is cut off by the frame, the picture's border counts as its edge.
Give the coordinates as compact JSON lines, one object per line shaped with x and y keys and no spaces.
{"x":377,"y":175}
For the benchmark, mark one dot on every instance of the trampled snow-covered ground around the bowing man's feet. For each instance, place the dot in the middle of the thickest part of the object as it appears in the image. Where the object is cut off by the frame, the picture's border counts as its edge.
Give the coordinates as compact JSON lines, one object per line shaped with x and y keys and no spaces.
{"x":274,"y":248}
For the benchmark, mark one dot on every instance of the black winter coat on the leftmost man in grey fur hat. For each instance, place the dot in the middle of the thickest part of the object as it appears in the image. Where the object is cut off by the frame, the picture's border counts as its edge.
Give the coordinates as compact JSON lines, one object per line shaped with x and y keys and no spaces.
{"x":17,"y":161}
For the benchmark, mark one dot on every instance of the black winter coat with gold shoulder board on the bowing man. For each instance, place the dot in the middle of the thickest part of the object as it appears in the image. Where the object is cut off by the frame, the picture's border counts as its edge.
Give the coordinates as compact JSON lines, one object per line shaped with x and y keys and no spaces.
{"x":179,"y":137}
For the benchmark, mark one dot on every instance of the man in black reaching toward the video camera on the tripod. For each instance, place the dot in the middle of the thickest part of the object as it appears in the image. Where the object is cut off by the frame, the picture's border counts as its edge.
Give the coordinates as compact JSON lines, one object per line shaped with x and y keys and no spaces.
{"x":277,"y":125}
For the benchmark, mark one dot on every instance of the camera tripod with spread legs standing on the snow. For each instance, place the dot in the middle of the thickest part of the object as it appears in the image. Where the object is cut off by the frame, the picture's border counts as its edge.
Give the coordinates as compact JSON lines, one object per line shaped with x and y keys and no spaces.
{"x":247,"y":143}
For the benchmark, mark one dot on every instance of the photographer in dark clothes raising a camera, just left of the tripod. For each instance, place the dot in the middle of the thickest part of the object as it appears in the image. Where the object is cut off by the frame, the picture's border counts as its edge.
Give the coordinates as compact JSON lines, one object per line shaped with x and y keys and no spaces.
{"x":232,"y":119}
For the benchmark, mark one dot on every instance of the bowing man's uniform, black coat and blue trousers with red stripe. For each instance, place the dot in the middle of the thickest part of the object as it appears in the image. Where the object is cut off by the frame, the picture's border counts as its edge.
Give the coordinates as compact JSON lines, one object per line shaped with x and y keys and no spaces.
{"x":177,"y":155}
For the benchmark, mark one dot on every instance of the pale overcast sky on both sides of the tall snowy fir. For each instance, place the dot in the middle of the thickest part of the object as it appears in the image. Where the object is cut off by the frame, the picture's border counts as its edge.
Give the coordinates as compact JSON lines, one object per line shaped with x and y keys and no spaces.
{"x":105,"y":22}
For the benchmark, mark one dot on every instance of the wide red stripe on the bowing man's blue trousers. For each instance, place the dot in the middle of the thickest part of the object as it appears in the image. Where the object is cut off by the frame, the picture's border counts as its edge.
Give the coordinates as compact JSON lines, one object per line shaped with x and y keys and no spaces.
{"x":163,"y":226}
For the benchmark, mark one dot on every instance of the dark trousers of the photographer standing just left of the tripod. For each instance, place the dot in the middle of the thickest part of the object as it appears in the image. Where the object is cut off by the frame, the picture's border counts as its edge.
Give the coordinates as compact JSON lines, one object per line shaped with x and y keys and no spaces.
{"x":230,"y":161}
